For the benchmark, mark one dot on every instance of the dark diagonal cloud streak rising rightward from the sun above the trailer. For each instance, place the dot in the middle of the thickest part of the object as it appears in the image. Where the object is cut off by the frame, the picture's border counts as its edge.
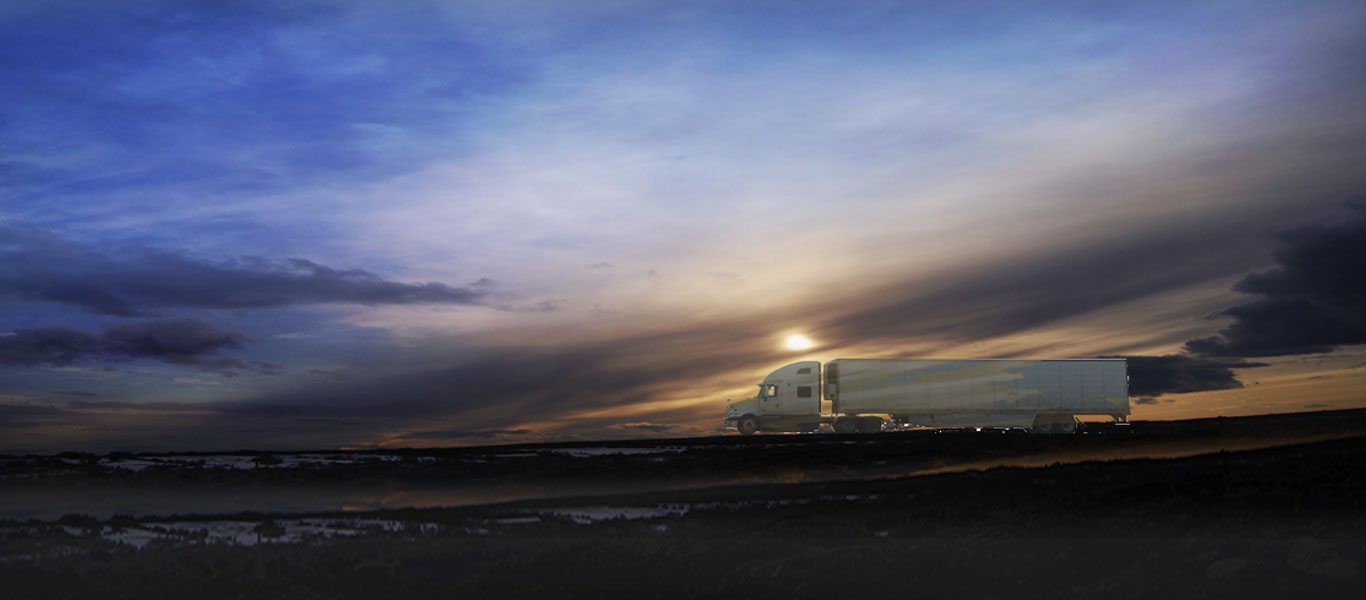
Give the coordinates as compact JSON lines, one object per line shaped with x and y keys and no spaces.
{"x":984,"y":301}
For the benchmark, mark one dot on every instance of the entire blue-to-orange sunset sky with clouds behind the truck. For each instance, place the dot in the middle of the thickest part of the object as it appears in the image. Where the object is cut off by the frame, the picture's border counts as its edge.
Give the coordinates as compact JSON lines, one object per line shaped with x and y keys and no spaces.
{"x":348,"y":225}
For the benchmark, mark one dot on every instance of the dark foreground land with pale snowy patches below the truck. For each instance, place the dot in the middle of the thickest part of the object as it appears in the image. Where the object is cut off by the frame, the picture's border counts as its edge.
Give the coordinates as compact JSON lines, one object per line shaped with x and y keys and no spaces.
{"x":886,"y":516}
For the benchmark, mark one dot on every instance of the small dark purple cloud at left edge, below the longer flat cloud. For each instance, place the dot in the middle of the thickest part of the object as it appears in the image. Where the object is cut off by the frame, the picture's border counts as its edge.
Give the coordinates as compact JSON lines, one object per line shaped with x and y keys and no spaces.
{"x":173,"y":341}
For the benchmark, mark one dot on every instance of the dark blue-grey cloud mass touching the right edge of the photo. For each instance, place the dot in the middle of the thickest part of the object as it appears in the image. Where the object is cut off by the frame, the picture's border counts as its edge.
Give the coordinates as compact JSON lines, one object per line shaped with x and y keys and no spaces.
{"x":1313,"y":301}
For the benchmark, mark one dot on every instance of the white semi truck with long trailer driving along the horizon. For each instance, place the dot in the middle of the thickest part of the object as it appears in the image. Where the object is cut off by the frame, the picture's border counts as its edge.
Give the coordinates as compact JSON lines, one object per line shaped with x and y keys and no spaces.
{"x":864,"y":396}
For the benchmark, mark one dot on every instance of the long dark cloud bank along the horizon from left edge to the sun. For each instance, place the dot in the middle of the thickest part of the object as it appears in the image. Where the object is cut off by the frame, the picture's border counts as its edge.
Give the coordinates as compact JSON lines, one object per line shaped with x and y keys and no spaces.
{"x":479,"y":394}
